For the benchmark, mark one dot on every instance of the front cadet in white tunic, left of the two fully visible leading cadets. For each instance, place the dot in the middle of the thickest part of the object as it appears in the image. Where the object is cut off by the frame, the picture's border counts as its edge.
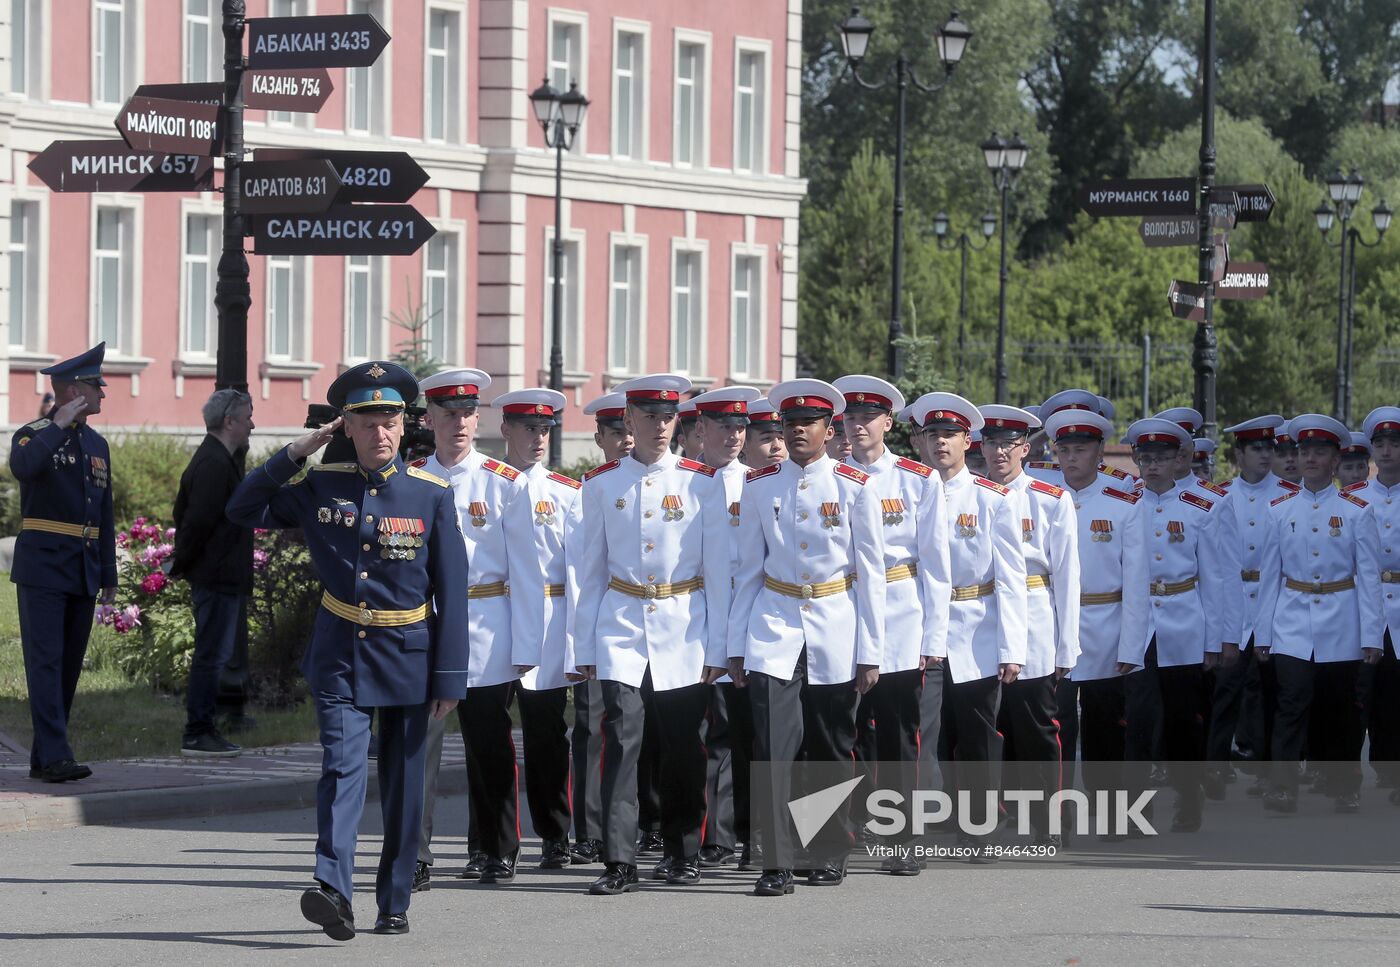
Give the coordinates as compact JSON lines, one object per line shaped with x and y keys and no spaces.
{"x":653,"y":604}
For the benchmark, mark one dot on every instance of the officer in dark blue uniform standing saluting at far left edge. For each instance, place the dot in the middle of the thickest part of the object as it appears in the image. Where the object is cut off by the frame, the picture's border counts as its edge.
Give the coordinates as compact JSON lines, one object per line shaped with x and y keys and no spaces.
{"x":65,"y":555}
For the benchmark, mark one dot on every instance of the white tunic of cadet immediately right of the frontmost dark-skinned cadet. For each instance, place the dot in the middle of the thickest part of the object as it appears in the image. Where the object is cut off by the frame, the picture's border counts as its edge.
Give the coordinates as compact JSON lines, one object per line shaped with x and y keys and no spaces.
{"x":915,"y":608}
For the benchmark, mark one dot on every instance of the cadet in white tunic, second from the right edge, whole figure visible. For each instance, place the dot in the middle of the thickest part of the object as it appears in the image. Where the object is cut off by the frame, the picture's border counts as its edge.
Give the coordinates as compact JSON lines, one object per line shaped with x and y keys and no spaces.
{"x":1319,"y":618}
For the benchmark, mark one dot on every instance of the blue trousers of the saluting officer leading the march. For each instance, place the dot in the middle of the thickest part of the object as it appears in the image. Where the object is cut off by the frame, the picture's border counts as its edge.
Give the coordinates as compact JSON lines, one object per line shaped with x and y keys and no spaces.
{"x":345,"y":772}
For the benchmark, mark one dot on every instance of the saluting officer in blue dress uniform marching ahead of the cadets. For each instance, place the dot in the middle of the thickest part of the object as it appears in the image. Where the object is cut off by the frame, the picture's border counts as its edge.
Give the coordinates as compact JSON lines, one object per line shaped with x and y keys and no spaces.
{"x":391,"y":633}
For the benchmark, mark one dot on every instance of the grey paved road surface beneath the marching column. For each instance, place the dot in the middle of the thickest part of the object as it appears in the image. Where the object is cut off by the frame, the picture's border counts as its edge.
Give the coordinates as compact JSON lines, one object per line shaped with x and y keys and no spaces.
{"x":225,"y":891}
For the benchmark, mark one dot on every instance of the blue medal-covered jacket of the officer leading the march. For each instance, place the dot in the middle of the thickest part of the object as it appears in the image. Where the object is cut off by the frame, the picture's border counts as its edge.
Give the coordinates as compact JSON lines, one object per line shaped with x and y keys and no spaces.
{"x":362,"y":530}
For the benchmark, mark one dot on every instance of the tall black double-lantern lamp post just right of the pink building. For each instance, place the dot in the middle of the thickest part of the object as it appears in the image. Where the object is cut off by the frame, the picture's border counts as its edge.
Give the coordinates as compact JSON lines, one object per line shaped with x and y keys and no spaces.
{"x":953,"y":43}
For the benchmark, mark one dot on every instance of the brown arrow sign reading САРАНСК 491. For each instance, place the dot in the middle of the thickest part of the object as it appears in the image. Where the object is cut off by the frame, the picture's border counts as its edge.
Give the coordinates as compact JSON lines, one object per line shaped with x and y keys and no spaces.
{"x":344,"y":230}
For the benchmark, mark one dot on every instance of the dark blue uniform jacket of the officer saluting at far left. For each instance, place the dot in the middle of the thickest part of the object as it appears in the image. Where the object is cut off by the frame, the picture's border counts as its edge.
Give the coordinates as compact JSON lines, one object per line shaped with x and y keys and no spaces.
{"x":65,"y":478}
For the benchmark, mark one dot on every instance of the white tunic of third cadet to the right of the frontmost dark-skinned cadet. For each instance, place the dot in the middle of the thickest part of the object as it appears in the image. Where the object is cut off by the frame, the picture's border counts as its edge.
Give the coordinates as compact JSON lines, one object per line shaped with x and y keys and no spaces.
{"x":1049,"y":539}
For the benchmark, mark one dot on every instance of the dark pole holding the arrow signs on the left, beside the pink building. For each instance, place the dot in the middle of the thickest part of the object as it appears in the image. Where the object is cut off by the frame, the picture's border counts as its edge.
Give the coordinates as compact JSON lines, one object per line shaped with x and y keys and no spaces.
{"x":232,"y":295}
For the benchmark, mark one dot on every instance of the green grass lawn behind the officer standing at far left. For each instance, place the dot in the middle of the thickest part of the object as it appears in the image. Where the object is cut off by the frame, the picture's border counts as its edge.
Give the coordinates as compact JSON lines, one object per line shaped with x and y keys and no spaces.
{"x":115,"y":717}
